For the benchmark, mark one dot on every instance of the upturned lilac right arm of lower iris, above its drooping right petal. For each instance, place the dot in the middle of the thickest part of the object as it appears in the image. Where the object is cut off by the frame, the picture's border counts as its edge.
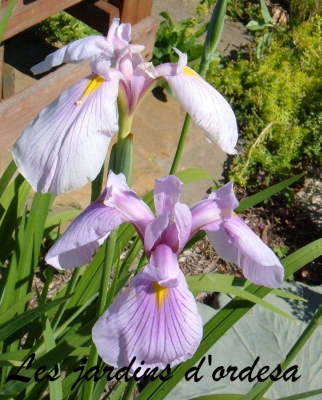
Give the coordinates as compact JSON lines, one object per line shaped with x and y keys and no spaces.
{"x":208,"y":213}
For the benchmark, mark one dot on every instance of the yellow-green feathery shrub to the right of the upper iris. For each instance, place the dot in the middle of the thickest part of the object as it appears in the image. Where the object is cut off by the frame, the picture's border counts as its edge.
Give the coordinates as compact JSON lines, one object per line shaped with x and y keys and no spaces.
{"x":278,"y":102}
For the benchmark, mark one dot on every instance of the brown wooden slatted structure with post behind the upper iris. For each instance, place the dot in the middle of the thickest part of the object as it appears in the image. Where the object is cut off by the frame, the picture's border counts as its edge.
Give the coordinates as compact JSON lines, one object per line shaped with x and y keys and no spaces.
{"x":19,"y":109}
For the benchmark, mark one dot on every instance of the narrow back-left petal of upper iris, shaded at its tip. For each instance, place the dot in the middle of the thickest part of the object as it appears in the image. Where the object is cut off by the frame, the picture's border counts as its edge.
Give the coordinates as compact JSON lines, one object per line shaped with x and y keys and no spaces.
{"x":75,"y":52}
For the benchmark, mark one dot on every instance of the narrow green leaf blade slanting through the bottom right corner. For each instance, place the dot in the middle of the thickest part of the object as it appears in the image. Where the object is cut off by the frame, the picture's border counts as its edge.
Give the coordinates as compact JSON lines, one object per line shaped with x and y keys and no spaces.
{"x":260,"y":389}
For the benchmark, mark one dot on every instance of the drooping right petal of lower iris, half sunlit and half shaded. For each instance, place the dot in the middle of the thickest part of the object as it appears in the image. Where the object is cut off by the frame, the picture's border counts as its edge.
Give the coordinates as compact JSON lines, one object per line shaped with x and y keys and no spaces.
{"x":237,"y":243}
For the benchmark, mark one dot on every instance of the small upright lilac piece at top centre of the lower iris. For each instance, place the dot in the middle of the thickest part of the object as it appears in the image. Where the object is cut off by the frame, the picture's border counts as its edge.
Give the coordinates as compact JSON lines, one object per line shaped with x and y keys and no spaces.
{"x":167,"y":192}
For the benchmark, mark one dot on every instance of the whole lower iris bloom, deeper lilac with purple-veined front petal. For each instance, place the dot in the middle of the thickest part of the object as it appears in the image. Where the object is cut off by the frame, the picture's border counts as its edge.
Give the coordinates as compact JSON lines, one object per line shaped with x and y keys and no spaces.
{"x":156,"y":318}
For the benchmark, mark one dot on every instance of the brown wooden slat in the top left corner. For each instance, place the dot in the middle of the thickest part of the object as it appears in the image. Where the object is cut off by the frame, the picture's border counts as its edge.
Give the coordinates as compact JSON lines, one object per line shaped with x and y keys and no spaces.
{"x":26,"y":15}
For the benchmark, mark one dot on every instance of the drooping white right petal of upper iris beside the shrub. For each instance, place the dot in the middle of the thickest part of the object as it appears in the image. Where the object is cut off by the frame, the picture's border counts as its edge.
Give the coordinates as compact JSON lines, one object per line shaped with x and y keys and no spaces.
{"x":207,"y":107}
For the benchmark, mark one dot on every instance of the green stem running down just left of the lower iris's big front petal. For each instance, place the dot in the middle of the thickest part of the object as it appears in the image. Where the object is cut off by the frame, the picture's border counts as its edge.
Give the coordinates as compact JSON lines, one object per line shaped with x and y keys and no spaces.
{"x":106,"y":272}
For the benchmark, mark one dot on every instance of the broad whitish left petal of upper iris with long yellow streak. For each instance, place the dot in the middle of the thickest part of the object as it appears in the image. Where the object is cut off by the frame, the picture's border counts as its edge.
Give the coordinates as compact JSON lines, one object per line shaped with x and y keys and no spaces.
{"x":65,"y":146}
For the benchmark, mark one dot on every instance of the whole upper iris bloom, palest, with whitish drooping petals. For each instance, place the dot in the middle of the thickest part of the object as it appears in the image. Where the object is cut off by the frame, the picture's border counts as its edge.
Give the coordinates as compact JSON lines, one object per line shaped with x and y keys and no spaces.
{"x":65,"y":146}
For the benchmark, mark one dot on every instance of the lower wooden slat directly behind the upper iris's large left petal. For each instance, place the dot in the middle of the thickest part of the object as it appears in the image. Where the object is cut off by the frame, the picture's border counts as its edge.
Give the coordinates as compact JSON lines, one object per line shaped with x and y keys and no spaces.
{"x":19,"y":110}
